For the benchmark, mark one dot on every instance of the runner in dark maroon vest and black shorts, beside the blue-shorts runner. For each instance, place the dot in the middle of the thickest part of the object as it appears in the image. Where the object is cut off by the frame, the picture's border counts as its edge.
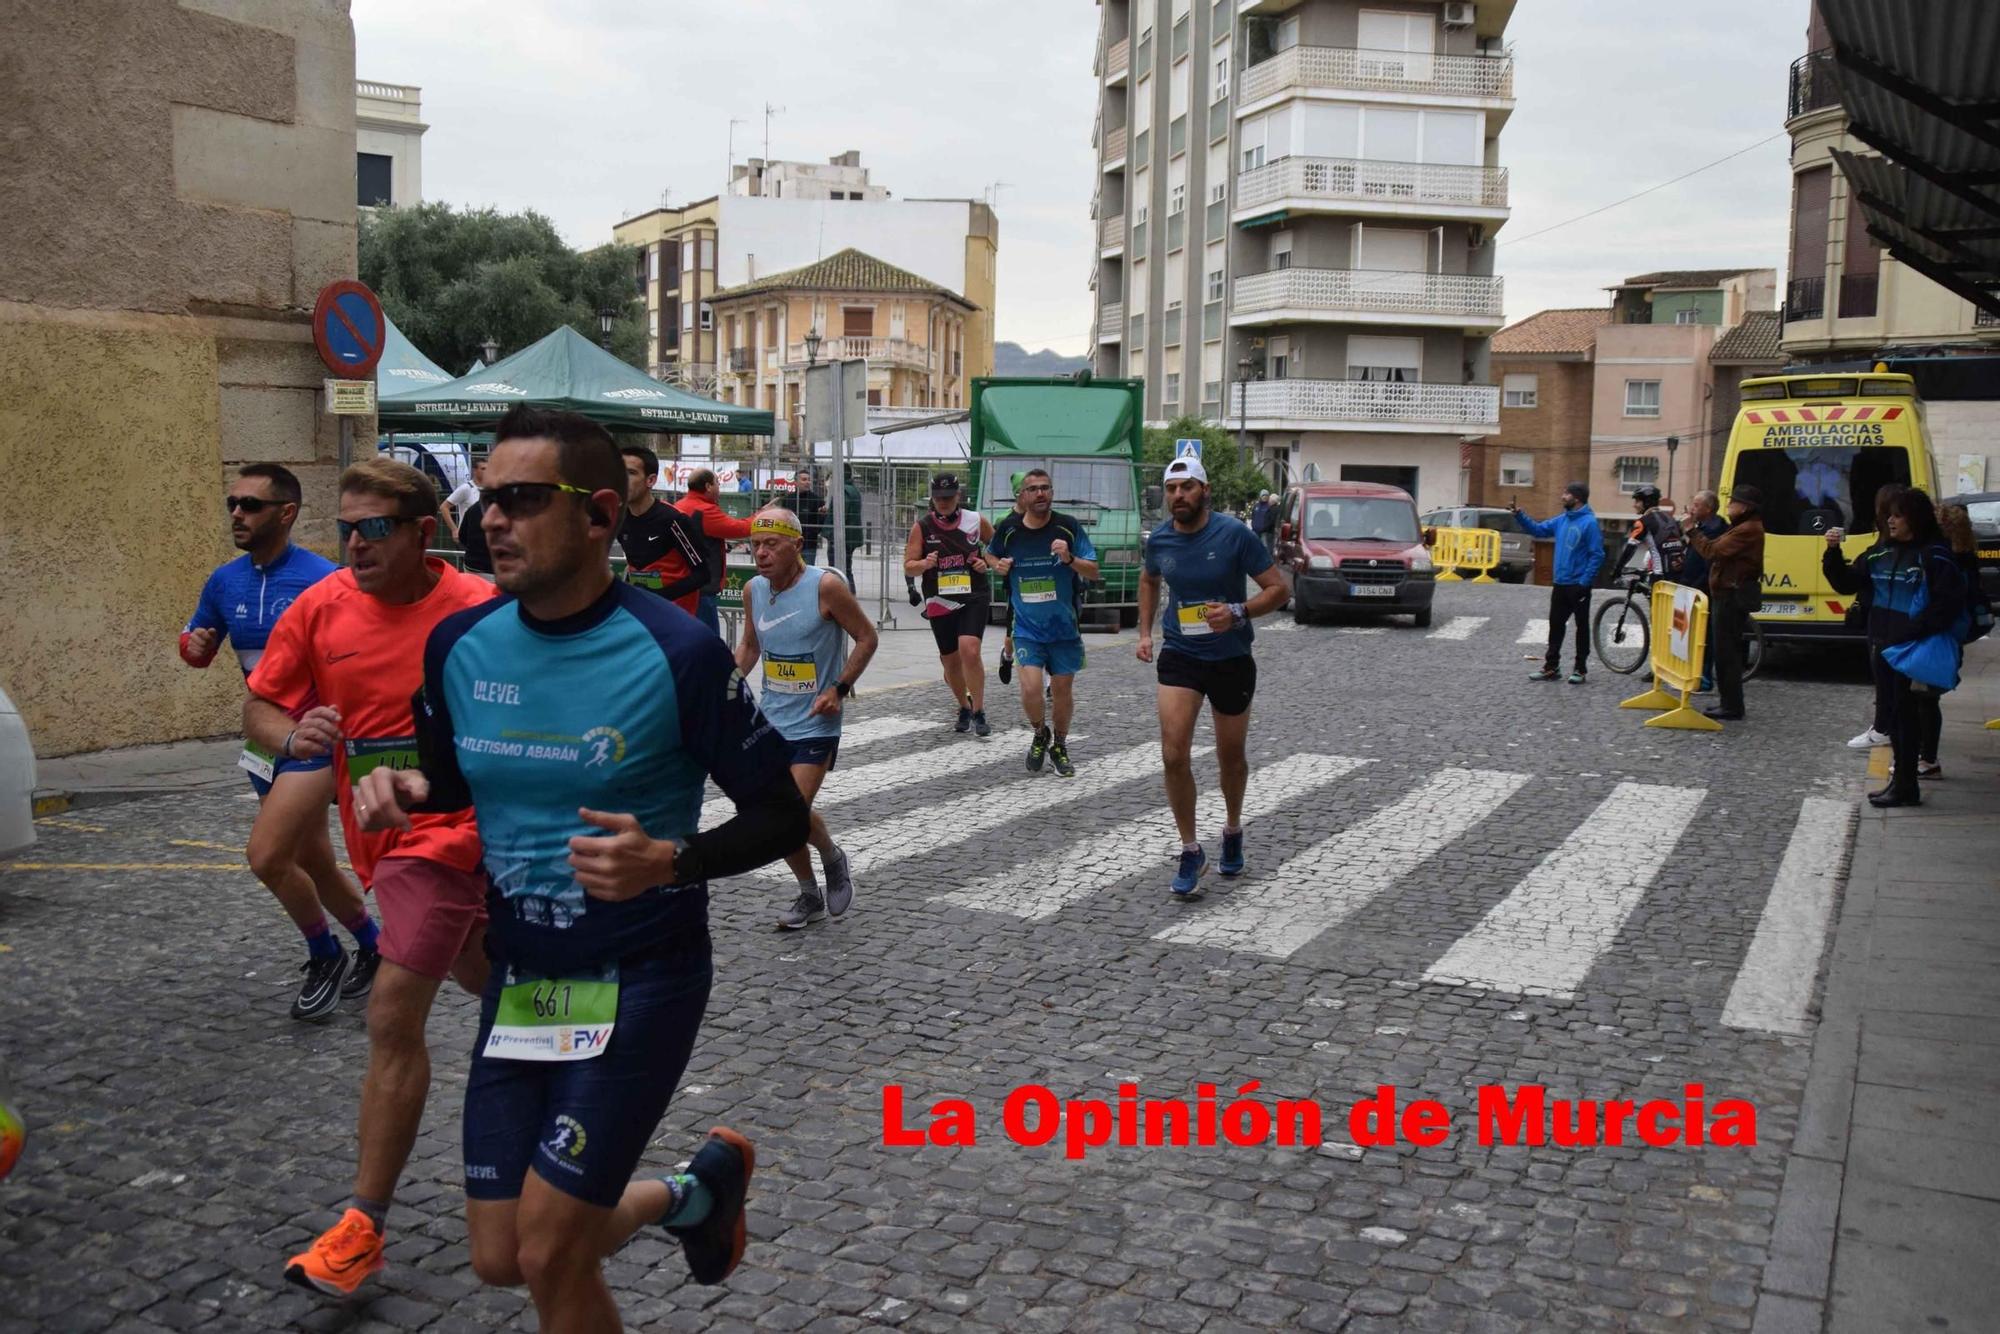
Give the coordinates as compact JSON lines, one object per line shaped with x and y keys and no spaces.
{"x":945,"y":551}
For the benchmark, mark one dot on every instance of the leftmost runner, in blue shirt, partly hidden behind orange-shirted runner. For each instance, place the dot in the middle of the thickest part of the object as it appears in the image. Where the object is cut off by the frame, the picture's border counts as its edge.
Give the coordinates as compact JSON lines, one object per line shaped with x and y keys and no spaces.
{"x":289,"y":847}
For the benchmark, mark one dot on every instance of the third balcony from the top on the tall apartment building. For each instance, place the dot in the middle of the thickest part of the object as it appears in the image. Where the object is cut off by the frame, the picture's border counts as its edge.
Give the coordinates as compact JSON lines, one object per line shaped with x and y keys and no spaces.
{"x":1367,"y":297}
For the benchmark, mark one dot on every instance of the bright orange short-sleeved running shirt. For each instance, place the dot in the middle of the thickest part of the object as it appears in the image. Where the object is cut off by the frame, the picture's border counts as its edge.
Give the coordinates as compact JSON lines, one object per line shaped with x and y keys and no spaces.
{"x":365,"y":657}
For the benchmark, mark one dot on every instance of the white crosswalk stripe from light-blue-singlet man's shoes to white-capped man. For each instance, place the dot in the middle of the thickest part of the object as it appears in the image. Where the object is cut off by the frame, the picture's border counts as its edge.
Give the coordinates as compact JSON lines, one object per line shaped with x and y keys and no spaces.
{"x":933,"y":831}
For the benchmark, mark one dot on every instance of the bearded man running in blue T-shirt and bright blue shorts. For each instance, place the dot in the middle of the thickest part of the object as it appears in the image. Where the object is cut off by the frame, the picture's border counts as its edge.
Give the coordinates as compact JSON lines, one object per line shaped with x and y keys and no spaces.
{"x":1045,"y":559}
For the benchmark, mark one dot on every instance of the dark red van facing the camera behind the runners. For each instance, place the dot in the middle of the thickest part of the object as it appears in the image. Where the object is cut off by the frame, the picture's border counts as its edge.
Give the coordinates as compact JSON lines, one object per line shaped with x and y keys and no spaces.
{"x":1353,"y":547}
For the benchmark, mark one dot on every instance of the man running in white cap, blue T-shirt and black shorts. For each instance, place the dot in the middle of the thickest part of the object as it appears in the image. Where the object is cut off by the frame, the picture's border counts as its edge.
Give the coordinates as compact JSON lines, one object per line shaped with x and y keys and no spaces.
{"x":1203,"y":559}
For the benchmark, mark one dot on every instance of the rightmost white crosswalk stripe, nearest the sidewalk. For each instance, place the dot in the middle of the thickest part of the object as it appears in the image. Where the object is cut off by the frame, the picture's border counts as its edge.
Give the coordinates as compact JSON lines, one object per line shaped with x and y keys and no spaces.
{"x":1775,"y":985}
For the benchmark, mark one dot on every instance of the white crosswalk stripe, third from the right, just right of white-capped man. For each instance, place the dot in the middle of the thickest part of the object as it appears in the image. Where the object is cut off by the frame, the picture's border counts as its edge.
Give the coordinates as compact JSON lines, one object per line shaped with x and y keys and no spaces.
{"x":1341,"y":875}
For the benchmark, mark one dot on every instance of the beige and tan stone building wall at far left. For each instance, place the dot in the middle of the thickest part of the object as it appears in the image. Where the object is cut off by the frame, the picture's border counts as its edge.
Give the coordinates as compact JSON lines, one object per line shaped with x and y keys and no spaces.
{"x":181,"y":189}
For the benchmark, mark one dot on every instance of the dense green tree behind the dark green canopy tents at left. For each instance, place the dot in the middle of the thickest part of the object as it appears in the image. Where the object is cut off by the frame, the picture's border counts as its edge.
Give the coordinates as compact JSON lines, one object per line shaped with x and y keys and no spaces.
{"x":453,"y":279}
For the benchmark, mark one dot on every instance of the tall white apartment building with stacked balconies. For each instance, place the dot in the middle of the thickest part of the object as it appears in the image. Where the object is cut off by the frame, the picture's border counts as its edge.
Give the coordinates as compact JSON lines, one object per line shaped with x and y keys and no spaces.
{"x":1297,"y":213}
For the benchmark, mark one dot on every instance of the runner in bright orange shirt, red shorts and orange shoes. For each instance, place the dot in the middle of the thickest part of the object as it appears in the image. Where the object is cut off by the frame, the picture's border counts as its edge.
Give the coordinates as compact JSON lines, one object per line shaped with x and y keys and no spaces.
{"x":345,"y":661}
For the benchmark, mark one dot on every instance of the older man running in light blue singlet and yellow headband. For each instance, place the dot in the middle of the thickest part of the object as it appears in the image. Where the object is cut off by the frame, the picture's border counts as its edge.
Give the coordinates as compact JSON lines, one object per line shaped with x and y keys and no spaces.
{"x":801,"y":619}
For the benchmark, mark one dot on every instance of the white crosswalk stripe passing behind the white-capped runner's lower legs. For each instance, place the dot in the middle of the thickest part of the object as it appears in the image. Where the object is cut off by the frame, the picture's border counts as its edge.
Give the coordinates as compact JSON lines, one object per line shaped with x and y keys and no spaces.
{"x":1051,"y":883}
